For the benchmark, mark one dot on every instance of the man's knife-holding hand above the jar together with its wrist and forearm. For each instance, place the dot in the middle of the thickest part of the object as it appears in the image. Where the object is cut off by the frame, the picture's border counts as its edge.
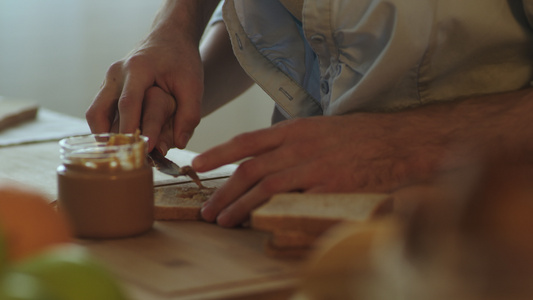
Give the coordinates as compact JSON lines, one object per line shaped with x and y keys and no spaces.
{"x":159,"y":85}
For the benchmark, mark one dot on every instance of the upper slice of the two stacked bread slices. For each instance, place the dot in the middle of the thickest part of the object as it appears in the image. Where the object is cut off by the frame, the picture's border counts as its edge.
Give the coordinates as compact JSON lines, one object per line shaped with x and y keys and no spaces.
{"x":313,"y":214}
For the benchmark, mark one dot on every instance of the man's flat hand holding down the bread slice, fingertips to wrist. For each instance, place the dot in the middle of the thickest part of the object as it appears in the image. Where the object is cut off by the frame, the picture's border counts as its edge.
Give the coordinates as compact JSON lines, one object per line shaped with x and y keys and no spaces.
{"x":355,"y":153}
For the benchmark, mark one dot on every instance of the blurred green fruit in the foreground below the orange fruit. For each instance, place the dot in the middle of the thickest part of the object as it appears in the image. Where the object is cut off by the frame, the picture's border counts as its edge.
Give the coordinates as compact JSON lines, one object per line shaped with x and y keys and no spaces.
{"x":71,"y":273}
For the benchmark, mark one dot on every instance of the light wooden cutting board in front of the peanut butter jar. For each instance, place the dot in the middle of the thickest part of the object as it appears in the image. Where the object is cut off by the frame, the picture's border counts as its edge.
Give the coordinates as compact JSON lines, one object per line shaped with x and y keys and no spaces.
{"x":197,"y":260}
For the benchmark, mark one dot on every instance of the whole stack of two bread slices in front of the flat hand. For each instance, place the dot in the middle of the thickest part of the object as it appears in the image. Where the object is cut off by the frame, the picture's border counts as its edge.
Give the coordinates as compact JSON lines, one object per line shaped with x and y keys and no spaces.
{"x":297,"y":221}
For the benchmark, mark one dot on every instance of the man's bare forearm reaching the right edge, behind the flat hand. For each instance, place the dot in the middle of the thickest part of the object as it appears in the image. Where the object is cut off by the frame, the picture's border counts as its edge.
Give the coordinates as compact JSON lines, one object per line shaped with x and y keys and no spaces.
{"x":472,"y":129}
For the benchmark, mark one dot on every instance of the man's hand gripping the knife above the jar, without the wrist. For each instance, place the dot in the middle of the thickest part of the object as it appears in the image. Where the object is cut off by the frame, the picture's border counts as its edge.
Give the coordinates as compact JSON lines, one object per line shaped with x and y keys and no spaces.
{"x":133,"y":94}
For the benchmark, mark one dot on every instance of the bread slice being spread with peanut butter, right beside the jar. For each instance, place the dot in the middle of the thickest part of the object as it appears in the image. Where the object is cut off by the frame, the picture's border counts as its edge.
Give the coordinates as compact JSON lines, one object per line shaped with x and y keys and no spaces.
{"x":183,"y":201}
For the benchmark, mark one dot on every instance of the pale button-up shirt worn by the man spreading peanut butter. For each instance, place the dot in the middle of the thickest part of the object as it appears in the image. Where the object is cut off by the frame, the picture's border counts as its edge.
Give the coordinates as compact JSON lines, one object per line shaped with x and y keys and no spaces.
{"x":381,"y":55}
